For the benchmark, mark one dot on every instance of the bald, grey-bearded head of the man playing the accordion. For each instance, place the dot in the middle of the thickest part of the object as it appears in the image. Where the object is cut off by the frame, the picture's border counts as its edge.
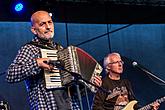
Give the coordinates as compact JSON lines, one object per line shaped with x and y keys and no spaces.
{"x":42,"y":25}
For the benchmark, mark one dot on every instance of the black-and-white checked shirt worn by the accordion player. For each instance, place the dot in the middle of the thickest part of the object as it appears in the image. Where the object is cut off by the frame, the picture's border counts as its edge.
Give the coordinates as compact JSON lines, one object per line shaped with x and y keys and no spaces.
{"x":25,"y":68}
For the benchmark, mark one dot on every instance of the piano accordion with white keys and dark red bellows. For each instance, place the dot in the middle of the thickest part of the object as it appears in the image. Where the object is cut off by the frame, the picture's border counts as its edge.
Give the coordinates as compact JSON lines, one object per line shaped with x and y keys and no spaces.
{"x":75,"y":60}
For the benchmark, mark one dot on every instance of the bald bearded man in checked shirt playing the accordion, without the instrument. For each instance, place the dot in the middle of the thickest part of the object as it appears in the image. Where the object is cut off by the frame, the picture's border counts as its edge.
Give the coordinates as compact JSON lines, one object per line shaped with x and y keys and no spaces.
{"x":28,"y":66}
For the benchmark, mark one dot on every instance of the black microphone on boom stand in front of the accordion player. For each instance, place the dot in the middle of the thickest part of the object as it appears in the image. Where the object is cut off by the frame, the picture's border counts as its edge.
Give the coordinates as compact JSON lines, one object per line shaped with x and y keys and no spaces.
{"x":77,"y":78}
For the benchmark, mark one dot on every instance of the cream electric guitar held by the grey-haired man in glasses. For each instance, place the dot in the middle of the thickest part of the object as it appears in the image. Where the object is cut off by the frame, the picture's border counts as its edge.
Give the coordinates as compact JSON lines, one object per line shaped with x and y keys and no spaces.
{"x":131,"y":104}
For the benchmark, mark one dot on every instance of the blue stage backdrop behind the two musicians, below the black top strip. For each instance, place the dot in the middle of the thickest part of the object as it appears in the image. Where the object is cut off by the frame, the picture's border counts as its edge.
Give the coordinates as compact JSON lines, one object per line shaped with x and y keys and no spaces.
{"x":143,"y":43}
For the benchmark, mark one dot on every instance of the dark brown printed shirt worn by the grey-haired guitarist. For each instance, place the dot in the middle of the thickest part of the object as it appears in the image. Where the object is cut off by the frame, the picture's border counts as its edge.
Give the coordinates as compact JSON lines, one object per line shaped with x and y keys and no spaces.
{"x":121,"y":94}
